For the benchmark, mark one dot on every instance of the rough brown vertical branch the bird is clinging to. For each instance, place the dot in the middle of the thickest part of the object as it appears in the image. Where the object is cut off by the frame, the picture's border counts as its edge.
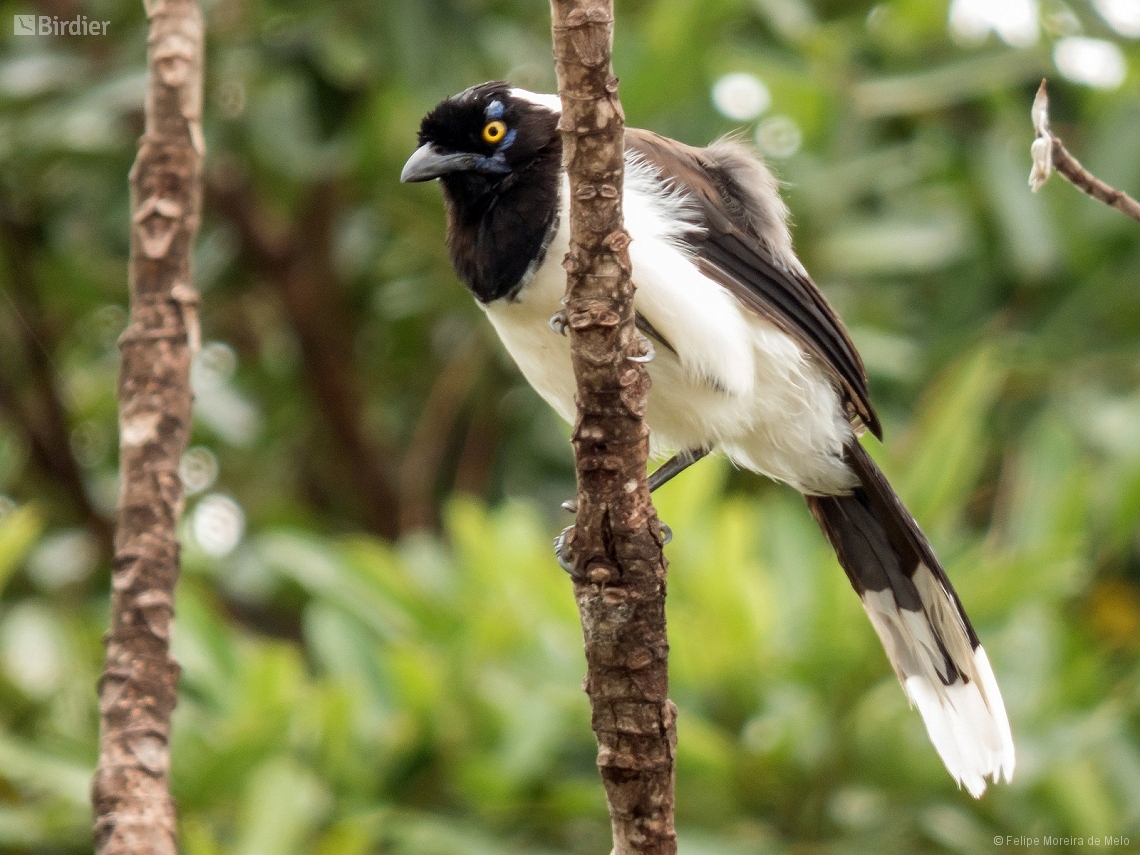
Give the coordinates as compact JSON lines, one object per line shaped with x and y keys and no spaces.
{"x":617,"y":542}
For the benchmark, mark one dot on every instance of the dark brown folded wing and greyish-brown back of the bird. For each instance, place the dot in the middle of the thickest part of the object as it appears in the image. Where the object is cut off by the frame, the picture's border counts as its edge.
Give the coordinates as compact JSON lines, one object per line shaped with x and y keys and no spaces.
{"x":730,"y":250}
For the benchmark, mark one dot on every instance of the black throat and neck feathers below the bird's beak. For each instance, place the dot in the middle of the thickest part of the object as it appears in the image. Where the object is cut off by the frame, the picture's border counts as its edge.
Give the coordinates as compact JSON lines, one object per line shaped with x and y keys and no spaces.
{"x":499,"y":230}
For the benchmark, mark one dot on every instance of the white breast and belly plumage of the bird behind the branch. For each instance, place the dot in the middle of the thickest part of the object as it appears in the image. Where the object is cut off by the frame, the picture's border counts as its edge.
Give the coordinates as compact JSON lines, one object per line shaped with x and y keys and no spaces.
{"x":736,"y":382}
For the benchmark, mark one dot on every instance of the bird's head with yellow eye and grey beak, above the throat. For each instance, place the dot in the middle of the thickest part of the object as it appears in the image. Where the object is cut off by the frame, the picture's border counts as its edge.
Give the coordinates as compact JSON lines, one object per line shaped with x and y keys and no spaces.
{"x":479,"y":140}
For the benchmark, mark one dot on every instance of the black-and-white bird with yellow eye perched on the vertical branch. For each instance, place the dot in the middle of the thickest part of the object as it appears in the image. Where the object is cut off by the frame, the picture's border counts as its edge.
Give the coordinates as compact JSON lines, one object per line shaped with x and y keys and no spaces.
{"x":748,"y":361}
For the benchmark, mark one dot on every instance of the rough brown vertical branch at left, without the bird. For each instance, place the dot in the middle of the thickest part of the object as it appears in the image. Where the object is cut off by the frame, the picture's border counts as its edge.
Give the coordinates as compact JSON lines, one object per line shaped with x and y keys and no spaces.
{"x":135,"y":815}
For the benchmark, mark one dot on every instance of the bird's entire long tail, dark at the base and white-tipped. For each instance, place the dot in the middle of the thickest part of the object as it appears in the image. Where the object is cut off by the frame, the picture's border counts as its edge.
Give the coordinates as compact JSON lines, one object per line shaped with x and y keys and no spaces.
{"x":921,"y":621}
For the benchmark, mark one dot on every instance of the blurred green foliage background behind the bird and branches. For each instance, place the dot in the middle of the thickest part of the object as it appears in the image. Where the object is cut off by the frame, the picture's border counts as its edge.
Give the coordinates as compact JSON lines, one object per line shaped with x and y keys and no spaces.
{"x":347,"y":694}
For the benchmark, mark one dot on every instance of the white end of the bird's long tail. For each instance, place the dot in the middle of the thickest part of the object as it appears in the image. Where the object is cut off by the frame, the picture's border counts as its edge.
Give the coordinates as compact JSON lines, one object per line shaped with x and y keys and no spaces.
{"x":966,"y":721}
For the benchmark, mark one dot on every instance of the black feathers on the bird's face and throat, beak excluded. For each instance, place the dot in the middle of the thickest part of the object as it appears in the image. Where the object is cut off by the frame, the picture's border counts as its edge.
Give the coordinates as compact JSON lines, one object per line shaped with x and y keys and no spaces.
{"x":502,"y":208}
